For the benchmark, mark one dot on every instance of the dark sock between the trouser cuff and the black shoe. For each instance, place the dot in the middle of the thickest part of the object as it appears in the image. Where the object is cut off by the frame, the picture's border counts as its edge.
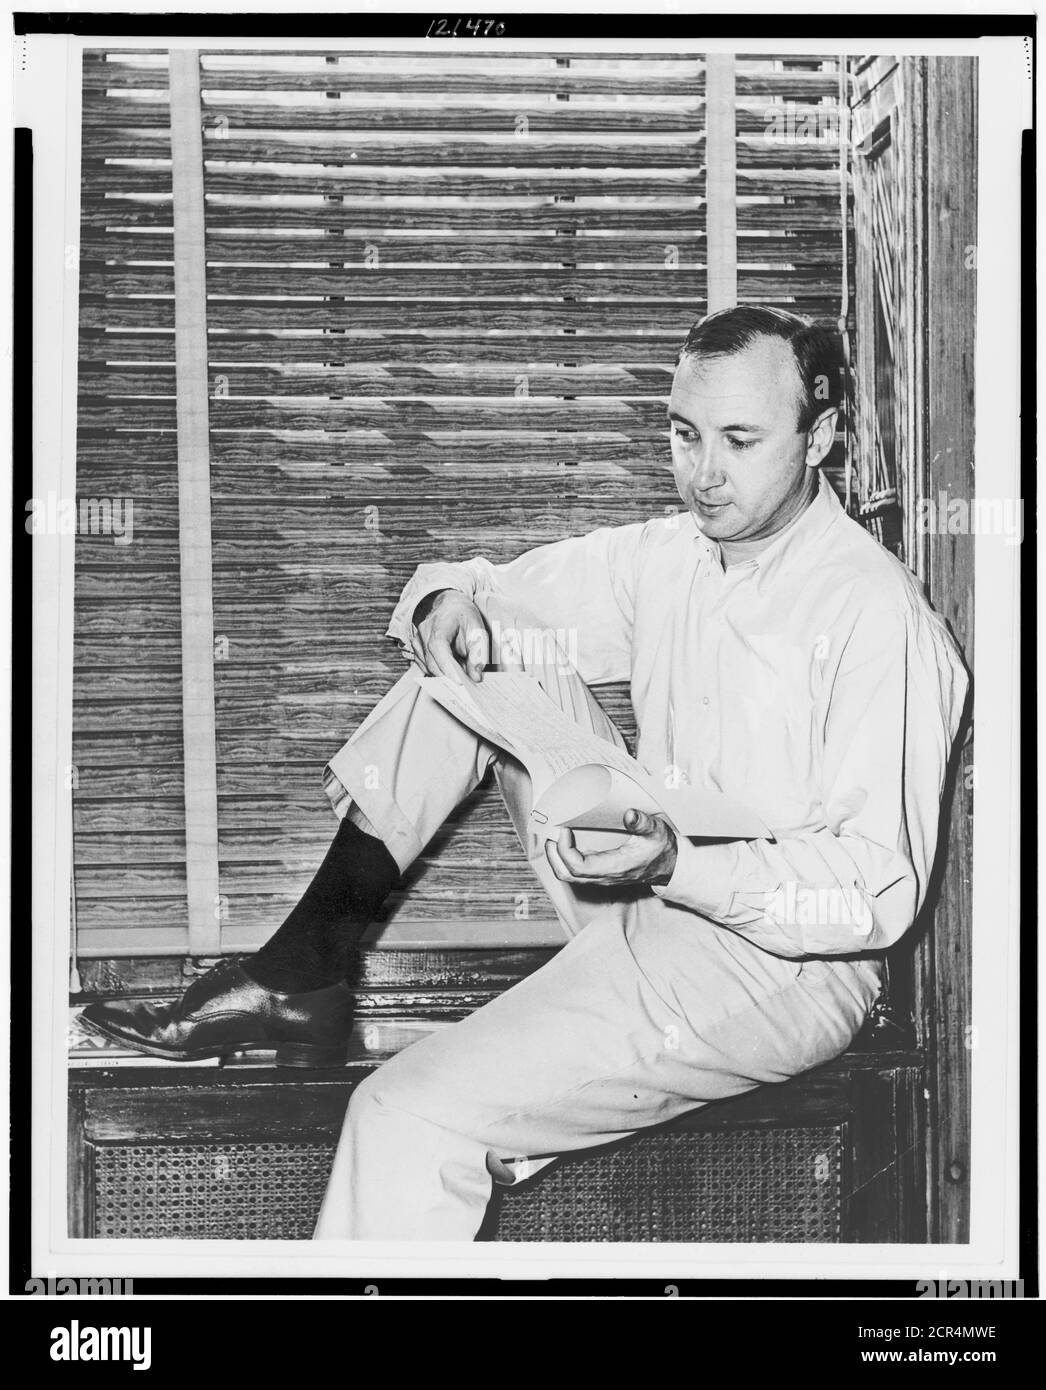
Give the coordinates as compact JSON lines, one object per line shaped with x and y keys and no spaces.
{"x":317,"y":943}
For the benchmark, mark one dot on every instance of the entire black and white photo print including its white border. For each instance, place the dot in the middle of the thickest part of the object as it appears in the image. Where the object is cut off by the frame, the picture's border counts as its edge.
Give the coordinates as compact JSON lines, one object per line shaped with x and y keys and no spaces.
{"x":524,"y":534}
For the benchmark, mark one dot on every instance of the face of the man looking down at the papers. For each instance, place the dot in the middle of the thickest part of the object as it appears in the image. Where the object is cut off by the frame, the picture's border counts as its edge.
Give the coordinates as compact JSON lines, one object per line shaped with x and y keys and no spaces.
{"x":741,"y":465}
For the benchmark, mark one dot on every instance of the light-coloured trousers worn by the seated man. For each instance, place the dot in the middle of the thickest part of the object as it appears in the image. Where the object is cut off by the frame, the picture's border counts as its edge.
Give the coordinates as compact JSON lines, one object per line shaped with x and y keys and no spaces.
{"x":648,"y":1011}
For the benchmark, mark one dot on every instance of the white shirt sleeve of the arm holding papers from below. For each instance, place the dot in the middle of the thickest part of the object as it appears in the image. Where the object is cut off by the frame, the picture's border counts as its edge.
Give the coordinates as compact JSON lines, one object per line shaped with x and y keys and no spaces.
{"x":858,"y":882}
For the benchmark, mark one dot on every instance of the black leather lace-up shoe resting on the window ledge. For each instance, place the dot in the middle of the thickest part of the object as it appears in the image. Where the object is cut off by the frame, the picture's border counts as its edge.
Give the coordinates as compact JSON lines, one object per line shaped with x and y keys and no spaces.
{"x":224,"y":1013}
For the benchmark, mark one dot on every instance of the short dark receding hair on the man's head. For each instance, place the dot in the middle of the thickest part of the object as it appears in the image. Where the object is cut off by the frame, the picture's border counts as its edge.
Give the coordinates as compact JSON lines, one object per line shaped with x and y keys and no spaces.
{"x":817,"y":351}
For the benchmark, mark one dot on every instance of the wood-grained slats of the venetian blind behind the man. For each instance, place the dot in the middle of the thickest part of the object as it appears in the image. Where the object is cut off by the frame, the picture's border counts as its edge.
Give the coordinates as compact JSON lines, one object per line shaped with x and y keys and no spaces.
{"x":444,"y":302}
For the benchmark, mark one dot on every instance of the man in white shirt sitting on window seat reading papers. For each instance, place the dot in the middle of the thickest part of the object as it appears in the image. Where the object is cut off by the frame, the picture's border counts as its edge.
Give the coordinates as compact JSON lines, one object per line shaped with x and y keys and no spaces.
{"x":777,"y":654}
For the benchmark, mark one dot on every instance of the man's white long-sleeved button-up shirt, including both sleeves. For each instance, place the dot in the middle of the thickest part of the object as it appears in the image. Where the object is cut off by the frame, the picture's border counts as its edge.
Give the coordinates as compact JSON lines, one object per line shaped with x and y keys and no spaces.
{"x":813,"y":683}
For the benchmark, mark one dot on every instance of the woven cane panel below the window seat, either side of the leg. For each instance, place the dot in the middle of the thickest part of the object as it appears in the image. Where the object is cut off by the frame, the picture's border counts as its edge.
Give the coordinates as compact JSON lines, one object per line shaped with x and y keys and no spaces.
{"x":744,"y":1186}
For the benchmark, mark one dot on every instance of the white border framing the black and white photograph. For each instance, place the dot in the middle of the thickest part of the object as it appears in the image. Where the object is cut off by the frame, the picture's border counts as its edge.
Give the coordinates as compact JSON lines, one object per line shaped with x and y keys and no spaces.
{"x":52,"y":109}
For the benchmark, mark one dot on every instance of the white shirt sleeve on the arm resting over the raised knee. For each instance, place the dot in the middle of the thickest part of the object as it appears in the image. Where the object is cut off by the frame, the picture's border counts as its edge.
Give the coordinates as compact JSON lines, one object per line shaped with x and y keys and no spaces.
{"x":583,"y":587}
